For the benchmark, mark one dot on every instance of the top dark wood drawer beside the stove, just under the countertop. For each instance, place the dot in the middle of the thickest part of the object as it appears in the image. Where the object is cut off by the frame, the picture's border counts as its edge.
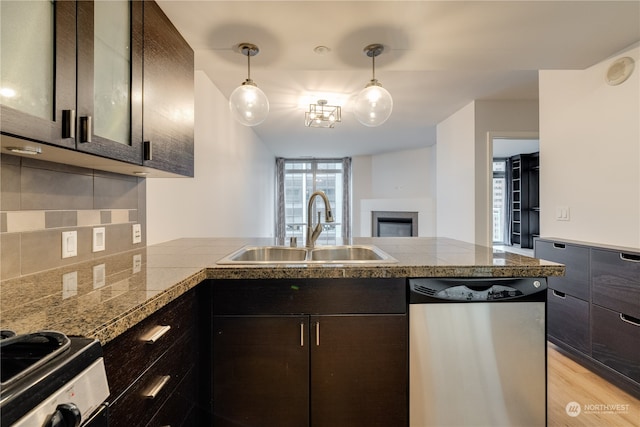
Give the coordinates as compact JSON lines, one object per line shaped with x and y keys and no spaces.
{"x":128,"y":356}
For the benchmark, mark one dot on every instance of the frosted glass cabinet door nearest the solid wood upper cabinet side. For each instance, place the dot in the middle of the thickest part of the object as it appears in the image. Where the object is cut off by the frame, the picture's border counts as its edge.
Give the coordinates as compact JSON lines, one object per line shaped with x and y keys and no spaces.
{"x":109,"y":113}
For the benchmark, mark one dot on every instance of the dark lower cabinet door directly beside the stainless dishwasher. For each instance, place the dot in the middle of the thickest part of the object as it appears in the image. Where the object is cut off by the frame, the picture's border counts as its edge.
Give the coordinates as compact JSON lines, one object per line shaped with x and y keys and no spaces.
{"x":359,"y":370}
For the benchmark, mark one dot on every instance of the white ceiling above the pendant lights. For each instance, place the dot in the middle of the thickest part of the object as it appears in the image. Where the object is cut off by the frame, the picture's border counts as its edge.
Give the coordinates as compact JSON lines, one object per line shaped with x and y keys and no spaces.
{"x":439,"y":56}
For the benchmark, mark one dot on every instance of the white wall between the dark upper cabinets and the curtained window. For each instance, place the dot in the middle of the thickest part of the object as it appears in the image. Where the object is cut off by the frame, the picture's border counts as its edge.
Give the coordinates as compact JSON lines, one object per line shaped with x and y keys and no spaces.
{"x":232,"y":193}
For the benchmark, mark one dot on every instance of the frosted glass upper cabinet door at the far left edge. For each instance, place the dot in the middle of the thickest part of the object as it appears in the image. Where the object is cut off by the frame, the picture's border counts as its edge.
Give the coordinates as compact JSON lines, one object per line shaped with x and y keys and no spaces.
{"x":38,"y":70}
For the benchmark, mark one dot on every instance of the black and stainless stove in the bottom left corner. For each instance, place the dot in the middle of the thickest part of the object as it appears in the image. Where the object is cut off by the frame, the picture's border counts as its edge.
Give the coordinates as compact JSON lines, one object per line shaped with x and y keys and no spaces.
{"x":50,"y":379}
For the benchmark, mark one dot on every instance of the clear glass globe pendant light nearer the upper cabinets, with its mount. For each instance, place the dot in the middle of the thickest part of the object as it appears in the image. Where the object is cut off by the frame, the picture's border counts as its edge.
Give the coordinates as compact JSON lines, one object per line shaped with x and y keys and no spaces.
{"x":248,"y":104}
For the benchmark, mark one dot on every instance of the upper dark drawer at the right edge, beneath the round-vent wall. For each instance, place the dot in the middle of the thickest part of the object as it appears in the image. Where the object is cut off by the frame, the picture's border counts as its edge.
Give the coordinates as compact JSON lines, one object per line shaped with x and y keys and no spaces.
{"x":615,"y":280}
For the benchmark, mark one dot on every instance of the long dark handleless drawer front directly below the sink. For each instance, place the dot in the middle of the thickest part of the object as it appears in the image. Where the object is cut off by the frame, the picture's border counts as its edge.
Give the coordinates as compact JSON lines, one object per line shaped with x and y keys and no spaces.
{"x":311,"y":296}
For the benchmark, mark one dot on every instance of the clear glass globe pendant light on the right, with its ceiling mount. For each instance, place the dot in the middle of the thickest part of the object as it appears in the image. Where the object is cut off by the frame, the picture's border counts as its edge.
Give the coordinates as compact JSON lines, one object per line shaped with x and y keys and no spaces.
{"x":374,"y":104}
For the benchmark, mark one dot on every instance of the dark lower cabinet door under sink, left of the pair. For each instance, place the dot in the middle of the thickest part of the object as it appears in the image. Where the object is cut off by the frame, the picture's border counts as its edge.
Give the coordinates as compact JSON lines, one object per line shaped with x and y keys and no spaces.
{"x":261,"y":371}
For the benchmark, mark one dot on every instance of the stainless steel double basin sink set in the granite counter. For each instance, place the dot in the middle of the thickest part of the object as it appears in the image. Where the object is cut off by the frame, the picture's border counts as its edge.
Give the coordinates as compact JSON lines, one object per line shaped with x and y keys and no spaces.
{"x":356,"y":254}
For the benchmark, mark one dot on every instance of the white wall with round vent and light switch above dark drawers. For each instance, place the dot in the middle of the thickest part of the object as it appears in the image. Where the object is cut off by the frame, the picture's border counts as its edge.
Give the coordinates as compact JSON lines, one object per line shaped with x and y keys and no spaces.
{"x":590,"y":155}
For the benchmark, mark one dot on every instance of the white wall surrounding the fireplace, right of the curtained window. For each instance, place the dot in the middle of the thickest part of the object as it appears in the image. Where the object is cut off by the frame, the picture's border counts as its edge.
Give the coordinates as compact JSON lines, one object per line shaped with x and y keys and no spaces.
{"x":397,"y":181}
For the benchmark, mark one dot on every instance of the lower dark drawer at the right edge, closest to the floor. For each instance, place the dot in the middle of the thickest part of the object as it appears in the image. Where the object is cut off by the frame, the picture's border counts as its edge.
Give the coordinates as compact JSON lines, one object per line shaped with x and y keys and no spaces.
{"x":616,"y":341}
